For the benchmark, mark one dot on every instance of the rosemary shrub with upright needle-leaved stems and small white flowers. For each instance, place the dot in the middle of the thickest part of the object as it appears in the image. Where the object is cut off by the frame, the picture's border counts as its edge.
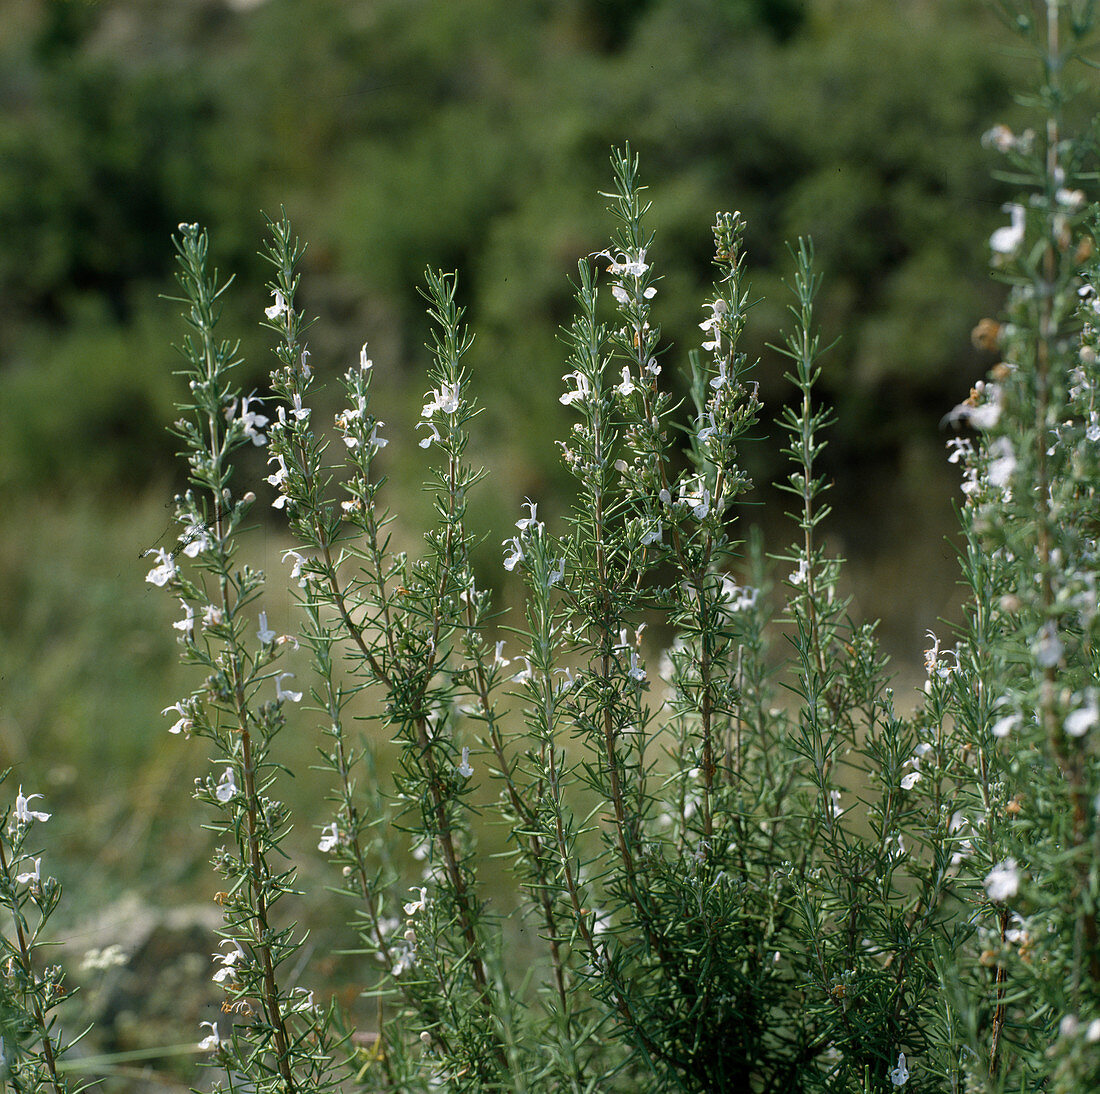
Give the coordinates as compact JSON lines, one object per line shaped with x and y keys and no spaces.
{"x":744,"y":868}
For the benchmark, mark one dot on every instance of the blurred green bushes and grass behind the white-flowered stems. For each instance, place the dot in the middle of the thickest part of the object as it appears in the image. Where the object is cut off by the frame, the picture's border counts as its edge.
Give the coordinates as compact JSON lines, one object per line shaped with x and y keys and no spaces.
{"x":470,"y":135}
